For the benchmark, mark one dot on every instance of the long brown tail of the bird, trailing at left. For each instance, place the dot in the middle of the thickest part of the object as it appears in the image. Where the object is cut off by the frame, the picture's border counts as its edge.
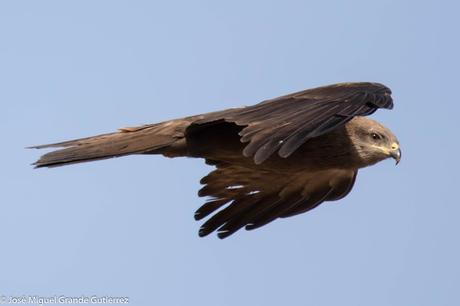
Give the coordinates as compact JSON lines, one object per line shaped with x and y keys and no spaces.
{"x":126,"y":141}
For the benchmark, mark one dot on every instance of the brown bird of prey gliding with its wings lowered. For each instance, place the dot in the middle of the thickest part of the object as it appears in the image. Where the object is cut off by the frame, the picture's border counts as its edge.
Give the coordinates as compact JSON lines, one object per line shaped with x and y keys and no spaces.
{"x":276,"y":159}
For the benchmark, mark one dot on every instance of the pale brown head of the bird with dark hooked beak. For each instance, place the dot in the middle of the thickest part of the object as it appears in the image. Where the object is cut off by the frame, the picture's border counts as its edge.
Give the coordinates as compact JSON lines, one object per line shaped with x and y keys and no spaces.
{"x":373,"y":142}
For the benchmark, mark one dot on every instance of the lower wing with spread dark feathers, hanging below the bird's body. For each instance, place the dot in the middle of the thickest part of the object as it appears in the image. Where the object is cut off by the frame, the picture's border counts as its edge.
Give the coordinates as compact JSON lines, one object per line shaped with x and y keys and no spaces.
{"x":244,"y":197}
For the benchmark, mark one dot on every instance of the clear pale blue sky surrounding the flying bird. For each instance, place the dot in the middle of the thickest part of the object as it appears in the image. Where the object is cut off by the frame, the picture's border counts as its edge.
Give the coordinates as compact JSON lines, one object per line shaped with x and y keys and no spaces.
{"x":125,"y":227}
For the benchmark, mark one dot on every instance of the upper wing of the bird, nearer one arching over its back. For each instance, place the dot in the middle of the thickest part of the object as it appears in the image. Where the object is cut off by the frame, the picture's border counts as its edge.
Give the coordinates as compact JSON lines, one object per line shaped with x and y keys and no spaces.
{"x":283,"y":124}
